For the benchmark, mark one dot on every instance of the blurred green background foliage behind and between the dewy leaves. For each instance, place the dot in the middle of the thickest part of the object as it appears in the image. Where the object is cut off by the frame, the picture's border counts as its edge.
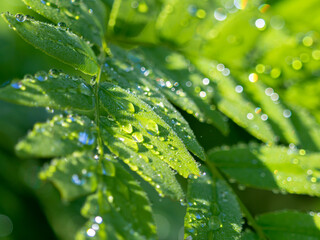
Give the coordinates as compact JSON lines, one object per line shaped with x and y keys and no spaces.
{"x":277,"y":40}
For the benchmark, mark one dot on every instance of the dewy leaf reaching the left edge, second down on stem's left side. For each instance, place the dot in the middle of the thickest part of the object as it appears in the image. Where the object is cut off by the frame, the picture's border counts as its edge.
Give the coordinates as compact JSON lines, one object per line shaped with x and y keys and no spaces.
{"x":54,"y":90}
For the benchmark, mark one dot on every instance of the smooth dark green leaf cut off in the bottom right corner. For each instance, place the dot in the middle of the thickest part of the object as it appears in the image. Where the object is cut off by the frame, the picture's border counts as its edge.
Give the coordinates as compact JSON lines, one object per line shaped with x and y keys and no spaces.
{"x":291,"y":225}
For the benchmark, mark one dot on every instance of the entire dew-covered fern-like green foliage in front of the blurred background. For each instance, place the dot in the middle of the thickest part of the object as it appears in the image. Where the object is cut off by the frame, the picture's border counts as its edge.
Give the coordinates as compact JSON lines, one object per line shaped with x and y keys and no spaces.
{"x":121,"y":116}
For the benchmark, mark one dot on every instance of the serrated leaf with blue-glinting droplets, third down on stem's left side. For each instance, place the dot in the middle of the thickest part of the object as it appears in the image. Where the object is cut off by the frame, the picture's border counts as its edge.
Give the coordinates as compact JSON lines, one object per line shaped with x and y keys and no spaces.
{"x":59,"y":137}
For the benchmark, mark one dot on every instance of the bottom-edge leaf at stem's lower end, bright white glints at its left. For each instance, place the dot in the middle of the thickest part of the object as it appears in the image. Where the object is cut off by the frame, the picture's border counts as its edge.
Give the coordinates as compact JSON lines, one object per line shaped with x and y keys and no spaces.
{"x":111,"y":212}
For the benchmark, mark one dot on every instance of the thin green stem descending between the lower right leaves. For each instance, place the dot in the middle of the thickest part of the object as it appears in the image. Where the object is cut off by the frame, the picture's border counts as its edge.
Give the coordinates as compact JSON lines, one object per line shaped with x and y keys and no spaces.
{"x":251,"y":221}
